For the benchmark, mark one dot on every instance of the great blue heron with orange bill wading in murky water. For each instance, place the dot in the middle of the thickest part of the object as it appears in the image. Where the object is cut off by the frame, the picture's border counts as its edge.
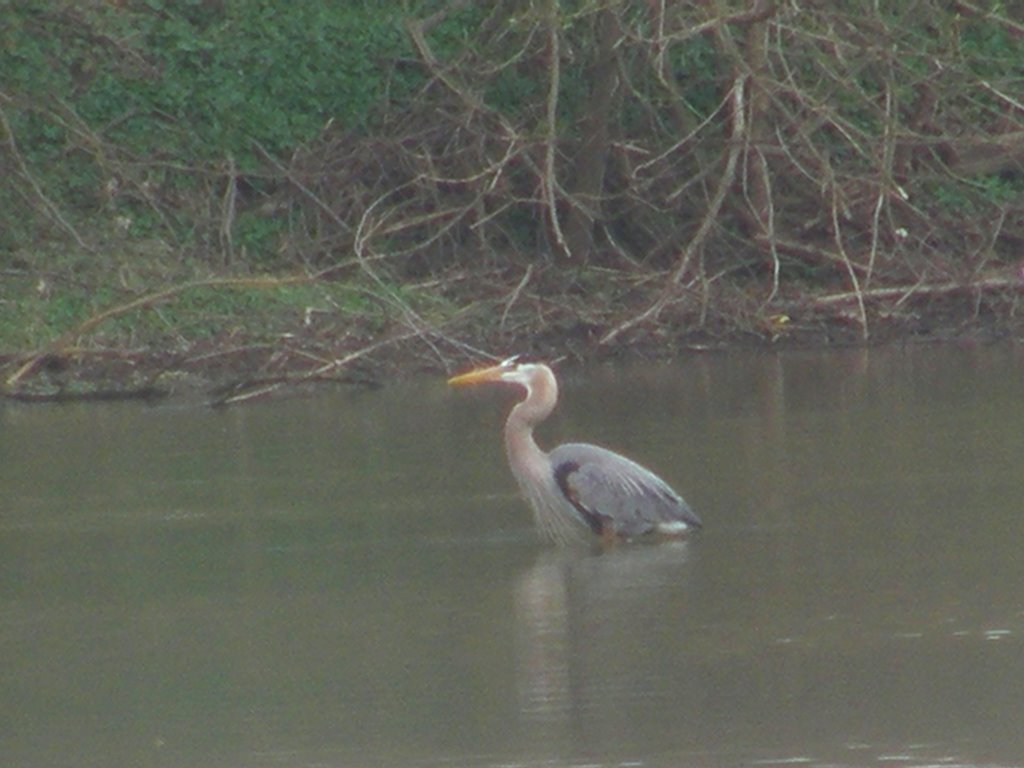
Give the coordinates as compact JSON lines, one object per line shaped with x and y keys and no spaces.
{"x":577,"y":483}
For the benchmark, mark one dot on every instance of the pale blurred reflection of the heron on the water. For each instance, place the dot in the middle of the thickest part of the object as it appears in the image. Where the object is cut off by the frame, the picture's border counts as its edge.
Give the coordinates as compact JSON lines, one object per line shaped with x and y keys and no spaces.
{"x":580,"y":617}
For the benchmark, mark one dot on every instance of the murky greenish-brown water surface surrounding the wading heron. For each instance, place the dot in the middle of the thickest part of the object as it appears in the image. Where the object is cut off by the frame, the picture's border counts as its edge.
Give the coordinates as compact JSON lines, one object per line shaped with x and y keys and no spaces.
{"x":351,"y":580}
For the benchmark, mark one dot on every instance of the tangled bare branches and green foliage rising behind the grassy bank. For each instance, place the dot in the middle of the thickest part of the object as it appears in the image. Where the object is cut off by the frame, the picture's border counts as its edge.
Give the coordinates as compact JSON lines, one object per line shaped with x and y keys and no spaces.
{"x":854,"y":144}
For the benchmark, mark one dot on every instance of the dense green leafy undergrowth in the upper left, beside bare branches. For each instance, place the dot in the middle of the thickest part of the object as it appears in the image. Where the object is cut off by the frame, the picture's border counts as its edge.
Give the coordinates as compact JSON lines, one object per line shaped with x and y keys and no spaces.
{"x":151,"y":108}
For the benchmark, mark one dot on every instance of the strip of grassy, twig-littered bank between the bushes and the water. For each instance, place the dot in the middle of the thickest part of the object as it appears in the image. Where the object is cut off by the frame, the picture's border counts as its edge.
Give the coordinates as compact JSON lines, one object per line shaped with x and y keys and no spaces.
{"x":232,"y":340}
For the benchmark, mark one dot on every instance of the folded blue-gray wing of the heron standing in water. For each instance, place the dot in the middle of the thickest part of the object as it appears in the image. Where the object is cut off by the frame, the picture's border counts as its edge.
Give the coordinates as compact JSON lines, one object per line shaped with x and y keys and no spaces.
{"x":609,"y":489}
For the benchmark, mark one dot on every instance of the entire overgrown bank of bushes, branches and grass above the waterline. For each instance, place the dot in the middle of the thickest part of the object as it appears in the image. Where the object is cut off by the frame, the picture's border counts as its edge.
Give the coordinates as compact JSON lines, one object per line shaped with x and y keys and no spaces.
{"x":457,"y":174}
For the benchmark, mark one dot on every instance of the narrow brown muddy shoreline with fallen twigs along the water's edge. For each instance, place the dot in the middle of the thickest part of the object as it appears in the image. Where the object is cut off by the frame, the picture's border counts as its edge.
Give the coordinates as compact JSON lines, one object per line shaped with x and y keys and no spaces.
{"x":236,"y":369}
